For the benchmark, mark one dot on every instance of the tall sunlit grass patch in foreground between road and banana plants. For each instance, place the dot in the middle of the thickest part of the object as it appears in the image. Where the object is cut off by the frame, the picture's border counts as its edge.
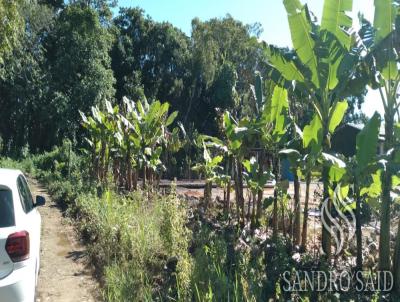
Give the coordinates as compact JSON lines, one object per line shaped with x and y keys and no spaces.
{"x":132,"y":239}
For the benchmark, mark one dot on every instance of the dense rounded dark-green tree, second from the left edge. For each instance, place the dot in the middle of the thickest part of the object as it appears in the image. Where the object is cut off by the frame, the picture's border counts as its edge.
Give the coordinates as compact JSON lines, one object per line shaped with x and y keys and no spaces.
{"x":79,"y":64}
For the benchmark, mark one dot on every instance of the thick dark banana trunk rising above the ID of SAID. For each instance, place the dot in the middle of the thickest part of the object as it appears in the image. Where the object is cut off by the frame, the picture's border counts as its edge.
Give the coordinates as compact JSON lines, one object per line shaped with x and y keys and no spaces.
{"x":386,"y":178}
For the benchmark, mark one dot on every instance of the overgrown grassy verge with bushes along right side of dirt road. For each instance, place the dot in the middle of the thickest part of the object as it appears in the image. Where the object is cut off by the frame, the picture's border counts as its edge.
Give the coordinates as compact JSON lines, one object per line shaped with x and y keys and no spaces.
{"x":138,"y":241}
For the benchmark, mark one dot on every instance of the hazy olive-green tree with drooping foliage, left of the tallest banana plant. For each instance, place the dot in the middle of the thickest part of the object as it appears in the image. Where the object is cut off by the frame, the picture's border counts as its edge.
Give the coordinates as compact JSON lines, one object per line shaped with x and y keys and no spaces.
{"x":225,"y":55}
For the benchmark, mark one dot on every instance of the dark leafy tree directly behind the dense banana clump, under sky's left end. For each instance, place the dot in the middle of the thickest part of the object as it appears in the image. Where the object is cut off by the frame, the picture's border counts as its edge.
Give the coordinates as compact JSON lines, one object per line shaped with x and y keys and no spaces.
{"x":150,"y":58}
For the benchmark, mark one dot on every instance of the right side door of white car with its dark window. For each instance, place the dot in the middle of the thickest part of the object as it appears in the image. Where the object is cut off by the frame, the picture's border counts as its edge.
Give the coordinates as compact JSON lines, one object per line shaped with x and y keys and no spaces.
{"x":32,"y":220}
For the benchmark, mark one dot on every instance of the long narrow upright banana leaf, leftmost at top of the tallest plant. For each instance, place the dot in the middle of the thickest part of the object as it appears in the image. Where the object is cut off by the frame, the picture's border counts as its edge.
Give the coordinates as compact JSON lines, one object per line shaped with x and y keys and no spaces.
{"x":302,"y":39}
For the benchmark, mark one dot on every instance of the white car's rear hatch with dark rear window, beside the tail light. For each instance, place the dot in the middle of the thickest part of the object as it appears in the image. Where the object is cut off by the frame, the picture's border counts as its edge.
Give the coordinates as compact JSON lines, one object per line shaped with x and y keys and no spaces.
{"x":7,"y":226}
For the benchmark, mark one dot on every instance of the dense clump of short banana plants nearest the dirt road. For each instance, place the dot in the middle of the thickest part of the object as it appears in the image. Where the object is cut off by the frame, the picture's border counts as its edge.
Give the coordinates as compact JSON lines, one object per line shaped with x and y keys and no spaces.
{"x":136,"y":136}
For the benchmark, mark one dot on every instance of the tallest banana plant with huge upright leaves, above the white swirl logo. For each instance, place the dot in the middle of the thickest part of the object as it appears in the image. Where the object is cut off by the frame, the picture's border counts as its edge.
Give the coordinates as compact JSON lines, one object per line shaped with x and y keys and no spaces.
{"x":322,"y":66}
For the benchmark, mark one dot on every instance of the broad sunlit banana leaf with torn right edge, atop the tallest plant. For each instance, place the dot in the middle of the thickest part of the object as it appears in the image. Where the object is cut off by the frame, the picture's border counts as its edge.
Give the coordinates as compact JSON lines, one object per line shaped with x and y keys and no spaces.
{"x":336,"y":21}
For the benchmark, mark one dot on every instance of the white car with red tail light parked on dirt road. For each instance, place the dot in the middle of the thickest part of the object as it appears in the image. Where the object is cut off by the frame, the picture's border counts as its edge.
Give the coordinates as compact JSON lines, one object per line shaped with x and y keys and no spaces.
{"x":20,"y":226}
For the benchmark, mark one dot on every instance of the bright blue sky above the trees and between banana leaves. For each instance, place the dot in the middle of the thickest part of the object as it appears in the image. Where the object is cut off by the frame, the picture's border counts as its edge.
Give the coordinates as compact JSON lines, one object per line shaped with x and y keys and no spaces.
{"x":270,"y":13}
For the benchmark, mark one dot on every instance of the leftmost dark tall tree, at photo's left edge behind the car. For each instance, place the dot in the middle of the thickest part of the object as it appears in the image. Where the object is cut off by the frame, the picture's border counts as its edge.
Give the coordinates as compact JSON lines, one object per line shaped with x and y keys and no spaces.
{"x":24,"y":86}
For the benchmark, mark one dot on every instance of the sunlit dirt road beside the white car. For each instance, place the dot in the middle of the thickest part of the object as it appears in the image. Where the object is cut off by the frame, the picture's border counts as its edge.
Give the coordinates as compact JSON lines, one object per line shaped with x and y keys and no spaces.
{"x":64,"y":274}
